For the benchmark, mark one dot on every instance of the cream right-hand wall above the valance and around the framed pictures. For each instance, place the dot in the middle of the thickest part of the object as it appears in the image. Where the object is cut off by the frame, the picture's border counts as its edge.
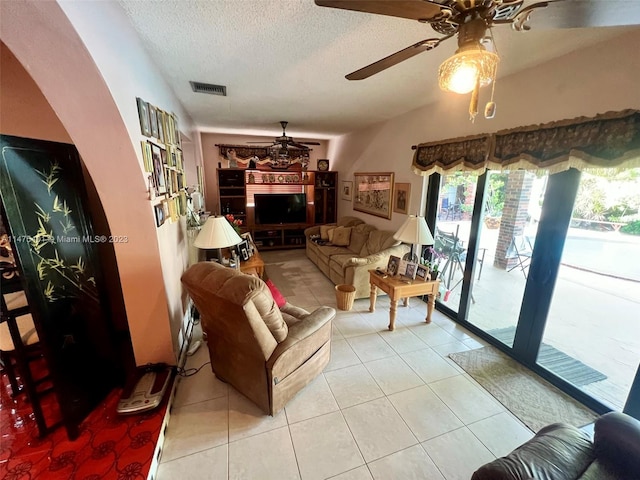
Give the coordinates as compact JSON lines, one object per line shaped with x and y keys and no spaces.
{"x":601,"y":78}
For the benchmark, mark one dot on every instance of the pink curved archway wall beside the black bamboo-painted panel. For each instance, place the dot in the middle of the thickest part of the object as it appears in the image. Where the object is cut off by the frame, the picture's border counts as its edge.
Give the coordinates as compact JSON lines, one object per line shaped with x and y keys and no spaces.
{"x":41,"y":37}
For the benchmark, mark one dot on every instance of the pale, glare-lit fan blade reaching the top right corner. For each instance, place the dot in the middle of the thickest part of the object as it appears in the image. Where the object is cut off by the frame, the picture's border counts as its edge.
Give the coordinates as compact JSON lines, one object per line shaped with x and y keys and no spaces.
{"x":578,"y":14}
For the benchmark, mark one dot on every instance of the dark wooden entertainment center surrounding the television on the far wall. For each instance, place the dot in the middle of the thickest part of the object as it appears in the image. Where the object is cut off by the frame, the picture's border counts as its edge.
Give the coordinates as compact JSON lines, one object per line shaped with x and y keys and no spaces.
{"x":237,"y":187}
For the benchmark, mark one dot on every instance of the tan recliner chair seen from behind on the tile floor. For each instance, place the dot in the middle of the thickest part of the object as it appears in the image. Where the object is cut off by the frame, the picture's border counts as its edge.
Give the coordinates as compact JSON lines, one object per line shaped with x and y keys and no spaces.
{"x":268,"y":354}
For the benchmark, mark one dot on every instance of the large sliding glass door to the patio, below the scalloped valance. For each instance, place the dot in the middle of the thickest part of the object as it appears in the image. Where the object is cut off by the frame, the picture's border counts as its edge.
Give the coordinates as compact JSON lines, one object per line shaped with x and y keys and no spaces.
{"x":556,"y":287}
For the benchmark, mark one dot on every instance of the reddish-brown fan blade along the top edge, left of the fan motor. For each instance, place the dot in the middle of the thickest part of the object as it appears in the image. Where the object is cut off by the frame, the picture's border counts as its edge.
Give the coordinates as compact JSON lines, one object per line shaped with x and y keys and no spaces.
{"x":413,"y":9}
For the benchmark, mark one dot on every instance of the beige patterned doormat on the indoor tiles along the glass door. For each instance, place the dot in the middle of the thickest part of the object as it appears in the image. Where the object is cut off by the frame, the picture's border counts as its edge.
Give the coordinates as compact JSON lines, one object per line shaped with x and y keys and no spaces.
{"x":532,"y":399}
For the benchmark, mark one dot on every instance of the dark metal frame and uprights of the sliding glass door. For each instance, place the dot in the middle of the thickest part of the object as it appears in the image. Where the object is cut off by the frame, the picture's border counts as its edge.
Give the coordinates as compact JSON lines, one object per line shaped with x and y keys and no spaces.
{"x":555,"y":218}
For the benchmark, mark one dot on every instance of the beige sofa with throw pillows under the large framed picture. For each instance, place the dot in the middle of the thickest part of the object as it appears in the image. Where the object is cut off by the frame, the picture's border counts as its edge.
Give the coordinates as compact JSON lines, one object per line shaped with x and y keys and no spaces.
{"x":349,"y":261}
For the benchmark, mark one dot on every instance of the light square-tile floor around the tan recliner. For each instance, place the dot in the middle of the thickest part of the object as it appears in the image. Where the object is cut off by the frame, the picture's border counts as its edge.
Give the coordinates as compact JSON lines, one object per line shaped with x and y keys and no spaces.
{"x":389,"y":405}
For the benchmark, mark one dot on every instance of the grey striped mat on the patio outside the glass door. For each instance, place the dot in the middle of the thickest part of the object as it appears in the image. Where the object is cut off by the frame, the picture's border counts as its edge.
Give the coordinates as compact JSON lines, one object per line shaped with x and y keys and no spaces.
{"x":558,"y":362}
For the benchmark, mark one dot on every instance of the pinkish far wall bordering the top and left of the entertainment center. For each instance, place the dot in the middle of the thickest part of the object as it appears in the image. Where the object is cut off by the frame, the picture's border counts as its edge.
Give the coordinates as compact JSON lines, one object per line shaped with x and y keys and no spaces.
{"x":210,"y":155}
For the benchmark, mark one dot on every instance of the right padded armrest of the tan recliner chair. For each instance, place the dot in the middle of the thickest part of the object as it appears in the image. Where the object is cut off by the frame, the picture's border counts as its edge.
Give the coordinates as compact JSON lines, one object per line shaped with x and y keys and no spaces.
{"x":303,"y":340}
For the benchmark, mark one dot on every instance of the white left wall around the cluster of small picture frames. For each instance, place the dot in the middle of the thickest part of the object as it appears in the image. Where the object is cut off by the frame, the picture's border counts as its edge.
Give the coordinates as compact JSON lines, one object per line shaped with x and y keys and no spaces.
{"x":129,"y":73}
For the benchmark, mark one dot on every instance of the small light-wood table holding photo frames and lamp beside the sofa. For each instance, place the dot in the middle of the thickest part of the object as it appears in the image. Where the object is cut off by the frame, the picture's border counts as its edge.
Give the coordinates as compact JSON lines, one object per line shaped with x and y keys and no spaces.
{"x":397,"y":288}
